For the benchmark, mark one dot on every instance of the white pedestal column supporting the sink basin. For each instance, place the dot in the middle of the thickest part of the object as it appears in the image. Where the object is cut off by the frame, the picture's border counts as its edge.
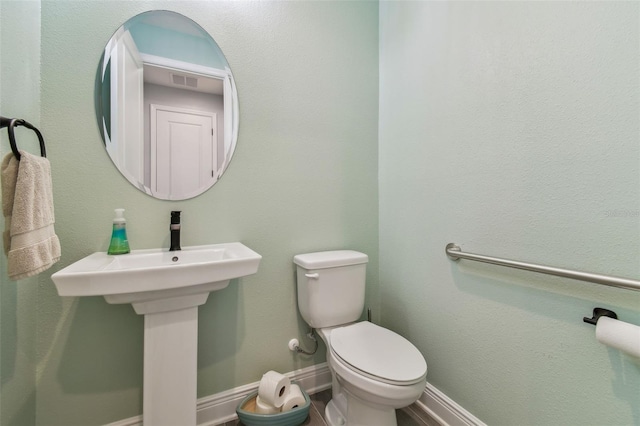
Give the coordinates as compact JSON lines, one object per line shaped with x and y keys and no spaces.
{"x":170,"y":361}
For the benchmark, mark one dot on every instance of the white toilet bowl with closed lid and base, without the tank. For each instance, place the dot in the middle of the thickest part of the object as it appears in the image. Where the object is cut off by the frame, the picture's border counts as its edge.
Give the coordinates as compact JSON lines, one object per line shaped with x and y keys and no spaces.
{"x":376,"y":371}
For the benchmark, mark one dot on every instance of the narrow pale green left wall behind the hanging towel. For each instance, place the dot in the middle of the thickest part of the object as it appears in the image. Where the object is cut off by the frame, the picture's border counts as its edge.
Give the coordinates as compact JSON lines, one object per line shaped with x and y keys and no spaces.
{"x":19,"y":97}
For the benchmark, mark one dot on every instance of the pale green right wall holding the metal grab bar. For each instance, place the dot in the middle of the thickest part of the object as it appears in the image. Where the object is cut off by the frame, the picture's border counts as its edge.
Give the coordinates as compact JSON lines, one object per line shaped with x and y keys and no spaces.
{"x":512,"y":129}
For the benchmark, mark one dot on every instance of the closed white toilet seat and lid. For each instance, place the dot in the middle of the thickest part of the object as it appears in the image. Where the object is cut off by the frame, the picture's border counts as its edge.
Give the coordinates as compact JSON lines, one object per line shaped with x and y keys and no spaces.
{"x":378,"y":353}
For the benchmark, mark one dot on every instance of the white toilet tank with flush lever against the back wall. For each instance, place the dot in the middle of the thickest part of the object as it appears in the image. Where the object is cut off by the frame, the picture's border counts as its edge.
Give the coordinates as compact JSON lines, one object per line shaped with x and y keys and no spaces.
{"x":331,"y":286}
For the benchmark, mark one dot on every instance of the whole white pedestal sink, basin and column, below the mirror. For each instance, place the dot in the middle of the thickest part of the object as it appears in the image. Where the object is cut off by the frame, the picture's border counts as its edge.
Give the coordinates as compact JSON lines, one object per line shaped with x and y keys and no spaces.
{"x":166,"y":287}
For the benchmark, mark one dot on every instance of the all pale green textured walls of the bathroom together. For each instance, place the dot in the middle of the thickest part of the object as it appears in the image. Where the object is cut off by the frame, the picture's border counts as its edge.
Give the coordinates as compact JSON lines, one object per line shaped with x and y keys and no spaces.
{"x":510,"y":128}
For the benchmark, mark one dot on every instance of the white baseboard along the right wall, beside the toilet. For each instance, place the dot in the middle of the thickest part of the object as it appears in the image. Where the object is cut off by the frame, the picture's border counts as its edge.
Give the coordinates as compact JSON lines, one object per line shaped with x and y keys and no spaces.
{"x":445,"y":410}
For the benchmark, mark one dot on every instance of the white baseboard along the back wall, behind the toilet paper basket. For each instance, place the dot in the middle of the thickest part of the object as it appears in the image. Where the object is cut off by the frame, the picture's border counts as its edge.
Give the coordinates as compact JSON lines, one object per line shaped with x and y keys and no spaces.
{"x":221,"y":407}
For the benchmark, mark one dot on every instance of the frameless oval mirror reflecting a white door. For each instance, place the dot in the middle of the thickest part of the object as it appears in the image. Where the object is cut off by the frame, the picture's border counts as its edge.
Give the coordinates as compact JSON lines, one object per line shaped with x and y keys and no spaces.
{"x":167,"y":105}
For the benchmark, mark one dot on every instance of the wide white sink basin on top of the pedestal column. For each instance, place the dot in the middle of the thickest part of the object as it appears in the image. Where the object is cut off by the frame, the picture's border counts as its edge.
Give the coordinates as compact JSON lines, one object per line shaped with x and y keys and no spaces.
{"x":149,"y":275}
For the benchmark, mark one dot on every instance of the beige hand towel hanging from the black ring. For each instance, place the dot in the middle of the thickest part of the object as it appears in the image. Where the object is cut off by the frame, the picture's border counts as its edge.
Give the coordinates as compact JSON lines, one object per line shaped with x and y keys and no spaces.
{"x":30,"y":241}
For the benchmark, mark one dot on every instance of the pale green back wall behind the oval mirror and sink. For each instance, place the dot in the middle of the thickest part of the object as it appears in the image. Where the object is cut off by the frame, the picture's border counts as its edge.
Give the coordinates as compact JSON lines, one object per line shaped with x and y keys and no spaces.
{"x":303,"y":179}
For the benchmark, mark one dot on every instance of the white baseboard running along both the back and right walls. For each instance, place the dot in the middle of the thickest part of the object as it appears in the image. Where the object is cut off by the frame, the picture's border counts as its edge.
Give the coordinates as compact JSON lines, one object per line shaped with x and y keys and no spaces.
{"x":221,"y":407}
